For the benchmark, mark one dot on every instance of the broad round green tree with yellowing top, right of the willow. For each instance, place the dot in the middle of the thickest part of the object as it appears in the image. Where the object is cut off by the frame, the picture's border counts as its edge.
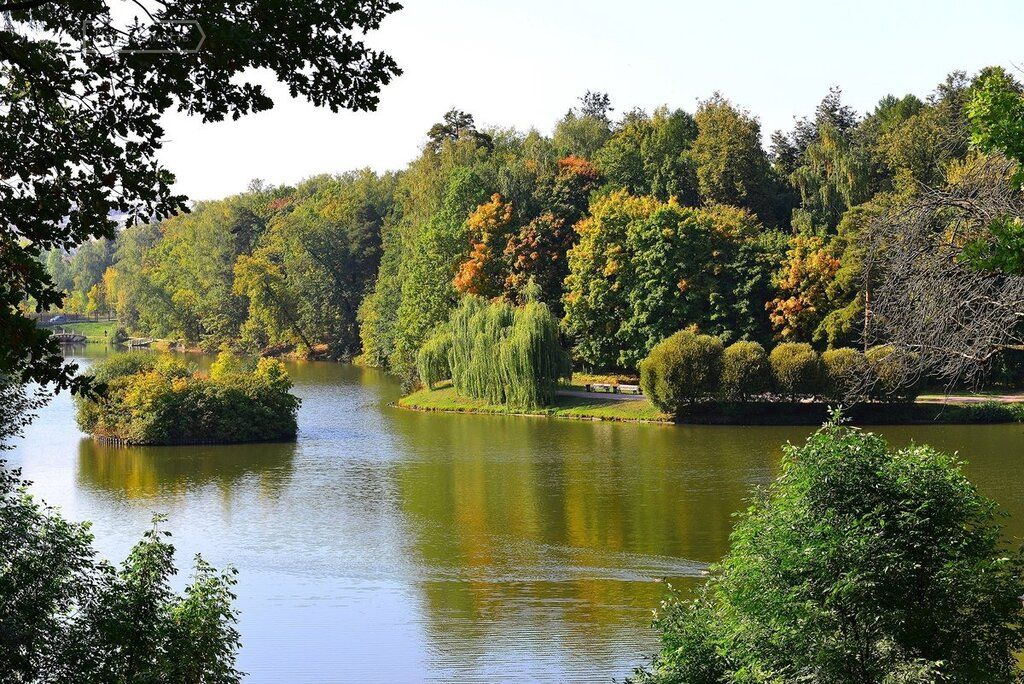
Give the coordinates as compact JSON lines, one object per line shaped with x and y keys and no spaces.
{"x":644,"y":269}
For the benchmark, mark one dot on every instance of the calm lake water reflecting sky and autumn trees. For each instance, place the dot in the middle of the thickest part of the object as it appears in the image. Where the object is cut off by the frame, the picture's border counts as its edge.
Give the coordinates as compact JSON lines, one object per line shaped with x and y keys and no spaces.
{"x":395,"y":546}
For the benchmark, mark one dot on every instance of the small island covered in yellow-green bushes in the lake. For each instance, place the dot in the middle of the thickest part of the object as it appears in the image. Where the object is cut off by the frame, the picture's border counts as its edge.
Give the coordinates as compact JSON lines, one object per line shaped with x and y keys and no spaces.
{"x":147,"y":399}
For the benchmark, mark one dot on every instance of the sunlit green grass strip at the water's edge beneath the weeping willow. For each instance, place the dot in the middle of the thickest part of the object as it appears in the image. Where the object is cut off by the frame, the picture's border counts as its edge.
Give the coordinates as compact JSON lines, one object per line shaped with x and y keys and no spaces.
{"x":447,"y":399}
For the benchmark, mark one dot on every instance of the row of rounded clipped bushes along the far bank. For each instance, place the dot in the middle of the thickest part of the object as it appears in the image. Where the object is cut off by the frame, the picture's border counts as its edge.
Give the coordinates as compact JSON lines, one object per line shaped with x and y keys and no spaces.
{"x":689,"y":368}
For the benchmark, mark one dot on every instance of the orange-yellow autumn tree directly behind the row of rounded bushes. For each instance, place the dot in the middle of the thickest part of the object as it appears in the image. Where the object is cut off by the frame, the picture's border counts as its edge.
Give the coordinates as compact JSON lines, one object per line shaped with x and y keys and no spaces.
{"x":803,"y":283}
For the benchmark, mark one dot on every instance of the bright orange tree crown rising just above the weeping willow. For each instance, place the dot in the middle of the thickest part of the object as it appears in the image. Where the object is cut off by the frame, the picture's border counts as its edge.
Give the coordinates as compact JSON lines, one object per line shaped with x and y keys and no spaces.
{"x":489,"y":227}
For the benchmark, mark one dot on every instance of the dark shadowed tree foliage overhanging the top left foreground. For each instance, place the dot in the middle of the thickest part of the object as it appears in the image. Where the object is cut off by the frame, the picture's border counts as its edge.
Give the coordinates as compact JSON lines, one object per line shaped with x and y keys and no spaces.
{"x":80,"y":129}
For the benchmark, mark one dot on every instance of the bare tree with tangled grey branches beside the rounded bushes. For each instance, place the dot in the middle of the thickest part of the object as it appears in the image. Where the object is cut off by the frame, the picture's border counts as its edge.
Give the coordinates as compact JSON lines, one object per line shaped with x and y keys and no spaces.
{"x":930,"y":302}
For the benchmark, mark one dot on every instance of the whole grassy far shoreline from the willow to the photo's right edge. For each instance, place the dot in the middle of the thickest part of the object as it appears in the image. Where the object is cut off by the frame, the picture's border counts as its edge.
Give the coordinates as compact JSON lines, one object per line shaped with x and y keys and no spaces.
{"x":727,"y":413}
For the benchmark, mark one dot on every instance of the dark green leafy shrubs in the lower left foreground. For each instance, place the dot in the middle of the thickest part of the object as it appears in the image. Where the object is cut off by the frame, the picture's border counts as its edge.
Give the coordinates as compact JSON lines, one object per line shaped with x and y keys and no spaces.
{"x":68,"y":617}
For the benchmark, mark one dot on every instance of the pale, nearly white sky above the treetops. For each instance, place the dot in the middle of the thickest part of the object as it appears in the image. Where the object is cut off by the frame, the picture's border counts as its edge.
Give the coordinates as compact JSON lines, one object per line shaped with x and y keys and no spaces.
{"x":525,"y":63}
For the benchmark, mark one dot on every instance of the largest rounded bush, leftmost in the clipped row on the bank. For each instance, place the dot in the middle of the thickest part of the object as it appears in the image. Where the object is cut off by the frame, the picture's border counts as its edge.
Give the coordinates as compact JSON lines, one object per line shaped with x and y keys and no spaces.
{"x":681,"y":370}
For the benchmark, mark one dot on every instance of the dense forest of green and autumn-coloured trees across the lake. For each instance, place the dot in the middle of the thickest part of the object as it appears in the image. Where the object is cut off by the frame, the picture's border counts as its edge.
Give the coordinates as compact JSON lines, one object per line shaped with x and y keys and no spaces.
{"x":630,"y":227}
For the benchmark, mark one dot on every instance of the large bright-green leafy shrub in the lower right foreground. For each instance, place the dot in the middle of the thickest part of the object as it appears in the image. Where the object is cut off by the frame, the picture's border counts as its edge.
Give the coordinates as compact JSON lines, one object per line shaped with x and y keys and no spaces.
{"x":862,"y":565}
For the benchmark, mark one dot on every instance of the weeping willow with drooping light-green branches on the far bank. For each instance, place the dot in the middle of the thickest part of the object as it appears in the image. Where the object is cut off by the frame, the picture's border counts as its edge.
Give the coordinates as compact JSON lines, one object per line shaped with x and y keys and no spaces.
{"x":494,"y":352}
